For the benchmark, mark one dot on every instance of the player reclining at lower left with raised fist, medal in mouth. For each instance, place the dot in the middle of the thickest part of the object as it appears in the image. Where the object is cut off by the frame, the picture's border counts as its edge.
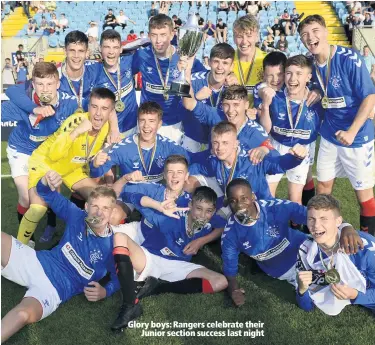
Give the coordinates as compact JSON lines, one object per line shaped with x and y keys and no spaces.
{"x":53,"y":277}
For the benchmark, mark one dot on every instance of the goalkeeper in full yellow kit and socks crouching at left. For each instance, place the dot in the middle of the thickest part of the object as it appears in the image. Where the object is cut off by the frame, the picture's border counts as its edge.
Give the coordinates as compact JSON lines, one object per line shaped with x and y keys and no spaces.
{"x":67,"y":151}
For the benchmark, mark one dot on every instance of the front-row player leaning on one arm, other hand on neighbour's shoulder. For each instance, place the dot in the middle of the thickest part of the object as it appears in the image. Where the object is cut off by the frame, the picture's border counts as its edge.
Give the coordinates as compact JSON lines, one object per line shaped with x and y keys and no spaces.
{"x":260,"y":229}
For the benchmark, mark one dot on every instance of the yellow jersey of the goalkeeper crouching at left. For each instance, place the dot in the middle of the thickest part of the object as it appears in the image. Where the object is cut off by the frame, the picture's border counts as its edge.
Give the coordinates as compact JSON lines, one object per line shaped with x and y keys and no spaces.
{"x":63,"y":155}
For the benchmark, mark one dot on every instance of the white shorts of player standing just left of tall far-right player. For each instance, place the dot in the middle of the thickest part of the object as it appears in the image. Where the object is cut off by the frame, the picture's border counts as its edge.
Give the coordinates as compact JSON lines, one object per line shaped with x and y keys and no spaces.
{"x":298,"y":174}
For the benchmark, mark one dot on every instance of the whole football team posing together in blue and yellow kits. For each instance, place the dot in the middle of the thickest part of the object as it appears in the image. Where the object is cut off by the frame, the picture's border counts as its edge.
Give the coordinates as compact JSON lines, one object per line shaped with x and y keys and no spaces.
{"x":196,"y":169}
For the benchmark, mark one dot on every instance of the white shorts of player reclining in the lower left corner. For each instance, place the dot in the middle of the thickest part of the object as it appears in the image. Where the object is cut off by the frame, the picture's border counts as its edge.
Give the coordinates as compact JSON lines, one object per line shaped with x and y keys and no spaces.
{"x":24,"y":268}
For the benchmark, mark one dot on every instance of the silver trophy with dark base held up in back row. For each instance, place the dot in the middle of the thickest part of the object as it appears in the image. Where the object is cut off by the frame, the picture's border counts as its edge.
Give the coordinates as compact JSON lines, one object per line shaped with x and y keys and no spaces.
{"x":189,"y":39}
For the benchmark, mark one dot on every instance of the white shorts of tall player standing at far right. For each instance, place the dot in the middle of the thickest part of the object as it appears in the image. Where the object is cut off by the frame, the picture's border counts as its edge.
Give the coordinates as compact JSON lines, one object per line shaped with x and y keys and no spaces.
{"x":355,"y":163}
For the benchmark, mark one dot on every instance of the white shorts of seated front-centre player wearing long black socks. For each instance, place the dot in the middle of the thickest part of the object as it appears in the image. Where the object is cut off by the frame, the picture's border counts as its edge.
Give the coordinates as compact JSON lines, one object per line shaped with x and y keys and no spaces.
{"x":169,"y":270}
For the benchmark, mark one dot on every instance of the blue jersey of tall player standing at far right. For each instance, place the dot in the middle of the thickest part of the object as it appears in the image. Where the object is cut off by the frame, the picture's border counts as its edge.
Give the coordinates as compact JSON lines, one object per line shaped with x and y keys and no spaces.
{"x":349,"y":84}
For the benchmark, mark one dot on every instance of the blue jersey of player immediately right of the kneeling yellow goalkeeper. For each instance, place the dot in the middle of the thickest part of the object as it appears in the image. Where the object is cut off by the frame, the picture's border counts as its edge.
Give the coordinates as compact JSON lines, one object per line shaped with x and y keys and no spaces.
{"x":126,"y":154}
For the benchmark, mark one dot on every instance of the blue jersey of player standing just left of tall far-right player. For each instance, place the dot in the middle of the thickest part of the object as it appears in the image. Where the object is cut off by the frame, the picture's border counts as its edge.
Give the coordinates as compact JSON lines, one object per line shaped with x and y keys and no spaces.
{"x":305,"y":131}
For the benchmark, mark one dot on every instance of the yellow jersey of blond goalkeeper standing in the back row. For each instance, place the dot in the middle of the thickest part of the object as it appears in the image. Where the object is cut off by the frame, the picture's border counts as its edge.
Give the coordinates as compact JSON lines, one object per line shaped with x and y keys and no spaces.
{"x":256,"y":72}
